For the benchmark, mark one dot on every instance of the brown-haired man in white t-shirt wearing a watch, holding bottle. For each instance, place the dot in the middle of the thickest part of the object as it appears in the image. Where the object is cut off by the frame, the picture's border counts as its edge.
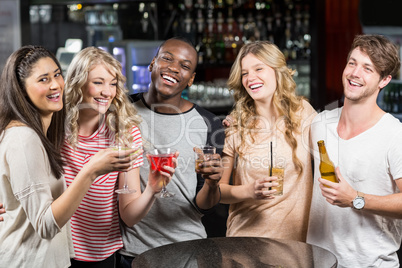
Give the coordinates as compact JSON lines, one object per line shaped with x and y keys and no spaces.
{"x":359,"y":218}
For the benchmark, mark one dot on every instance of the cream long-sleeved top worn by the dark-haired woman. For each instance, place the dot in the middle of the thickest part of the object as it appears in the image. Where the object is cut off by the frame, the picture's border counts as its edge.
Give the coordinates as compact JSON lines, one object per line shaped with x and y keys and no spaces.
{"x":29,"y":235}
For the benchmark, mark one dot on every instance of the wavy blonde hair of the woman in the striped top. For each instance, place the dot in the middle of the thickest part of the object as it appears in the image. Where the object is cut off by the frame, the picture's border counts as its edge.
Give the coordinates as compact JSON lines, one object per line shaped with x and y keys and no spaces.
{"x":121,"y":116}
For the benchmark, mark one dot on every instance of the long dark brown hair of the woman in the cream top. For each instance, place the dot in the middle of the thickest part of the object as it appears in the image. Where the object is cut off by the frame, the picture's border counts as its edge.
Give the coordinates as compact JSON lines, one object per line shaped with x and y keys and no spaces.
{"x":16,"y":105}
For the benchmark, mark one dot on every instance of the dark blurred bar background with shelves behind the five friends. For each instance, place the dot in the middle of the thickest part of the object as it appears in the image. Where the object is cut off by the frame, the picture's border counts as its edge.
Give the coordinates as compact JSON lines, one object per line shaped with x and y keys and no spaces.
{"x":314,"y":35}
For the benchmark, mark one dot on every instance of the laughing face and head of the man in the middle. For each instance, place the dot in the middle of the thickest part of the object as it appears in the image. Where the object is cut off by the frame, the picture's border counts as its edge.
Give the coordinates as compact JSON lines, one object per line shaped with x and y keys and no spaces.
{"x":173,"y":69}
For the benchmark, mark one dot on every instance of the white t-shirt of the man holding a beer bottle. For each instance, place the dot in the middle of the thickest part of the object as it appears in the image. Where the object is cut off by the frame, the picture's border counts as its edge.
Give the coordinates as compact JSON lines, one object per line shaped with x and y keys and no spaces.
{"x":369,"y":162}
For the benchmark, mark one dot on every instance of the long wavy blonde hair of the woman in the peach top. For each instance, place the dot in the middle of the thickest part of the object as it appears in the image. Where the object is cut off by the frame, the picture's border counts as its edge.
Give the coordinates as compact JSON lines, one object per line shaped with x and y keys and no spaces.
{"x":285,"y":100}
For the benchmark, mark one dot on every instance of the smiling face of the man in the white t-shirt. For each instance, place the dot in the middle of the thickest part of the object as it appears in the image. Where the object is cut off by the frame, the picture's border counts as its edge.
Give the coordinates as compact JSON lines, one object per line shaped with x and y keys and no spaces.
{"x":360,"y":78}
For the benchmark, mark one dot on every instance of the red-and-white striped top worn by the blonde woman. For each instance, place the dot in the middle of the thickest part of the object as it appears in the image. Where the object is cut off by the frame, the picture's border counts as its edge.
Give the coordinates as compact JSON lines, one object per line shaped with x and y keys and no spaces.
{"x":95,"y":224}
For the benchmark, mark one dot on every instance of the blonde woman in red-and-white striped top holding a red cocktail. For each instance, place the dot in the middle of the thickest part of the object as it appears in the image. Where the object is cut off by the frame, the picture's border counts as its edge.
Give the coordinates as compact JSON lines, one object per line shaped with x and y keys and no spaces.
{"x":99,"y":111}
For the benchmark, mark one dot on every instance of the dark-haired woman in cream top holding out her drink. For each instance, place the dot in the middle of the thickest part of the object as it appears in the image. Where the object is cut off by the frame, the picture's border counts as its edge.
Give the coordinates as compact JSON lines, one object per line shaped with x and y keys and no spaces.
{"x":35,"y":232}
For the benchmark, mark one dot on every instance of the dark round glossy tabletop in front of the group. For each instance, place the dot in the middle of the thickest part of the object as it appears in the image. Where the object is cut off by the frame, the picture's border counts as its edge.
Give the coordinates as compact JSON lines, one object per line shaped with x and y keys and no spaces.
{"x":236,"y":252}
